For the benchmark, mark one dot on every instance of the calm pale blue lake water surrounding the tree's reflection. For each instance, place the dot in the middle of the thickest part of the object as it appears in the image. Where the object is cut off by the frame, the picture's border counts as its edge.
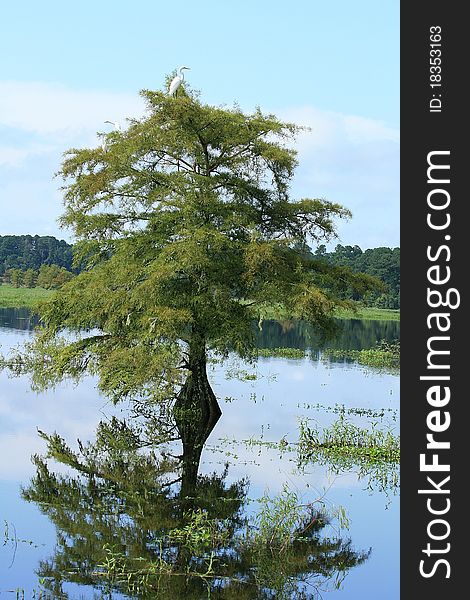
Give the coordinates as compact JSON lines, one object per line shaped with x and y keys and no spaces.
{"x":257,"y":415}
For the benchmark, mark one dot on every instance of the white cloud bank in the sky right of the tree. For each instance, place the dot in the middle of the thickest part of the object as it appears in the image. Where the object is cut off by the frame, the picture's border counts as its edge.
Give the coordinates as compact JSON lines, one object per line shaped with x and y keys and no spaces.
{"x":354,"y":161}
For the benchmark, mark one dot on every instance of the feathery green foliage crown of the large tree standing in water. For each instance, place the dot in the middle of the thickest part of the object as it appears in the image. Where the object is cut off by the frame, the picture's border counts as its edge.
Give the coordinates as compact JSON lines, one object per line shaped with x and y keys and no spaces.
{"x":185,"y":223}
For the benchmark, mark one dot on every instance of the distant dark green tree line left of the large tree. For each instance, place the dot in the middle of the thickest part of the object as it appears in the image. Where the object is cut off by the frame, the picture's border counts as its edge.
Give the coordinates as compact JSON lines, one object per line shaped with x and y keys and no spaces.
{"x":26,"y":252}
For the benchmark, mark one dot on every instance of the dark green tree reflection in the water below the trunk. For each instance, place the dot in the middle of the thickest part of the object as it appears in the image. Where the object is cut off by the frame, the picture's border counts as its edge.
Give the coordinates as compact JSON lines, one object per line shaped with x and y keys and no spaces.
{"x":134,"y":519}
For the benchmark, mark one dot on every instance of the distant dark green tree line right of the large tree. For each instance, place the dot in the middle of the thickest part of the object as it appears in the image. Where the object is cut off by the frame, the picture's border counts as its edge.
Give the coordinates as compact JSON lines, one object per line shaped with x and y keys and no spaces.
{"x":383,"y":263}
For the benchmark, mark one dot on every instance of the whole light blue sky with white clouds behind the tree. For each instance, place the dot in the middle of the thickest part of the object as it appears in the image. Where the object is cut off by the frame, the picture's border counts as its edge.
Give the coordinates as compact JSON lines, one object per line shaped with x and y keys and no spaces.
{"x":332,"y":66}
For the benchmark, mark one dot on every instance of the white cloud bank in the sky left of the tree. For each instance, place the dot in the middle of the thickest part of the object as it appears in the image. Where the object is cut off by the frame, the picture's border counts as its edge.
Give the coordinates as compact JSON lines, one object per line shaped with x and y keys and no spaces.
{"x":39,"y":121}
